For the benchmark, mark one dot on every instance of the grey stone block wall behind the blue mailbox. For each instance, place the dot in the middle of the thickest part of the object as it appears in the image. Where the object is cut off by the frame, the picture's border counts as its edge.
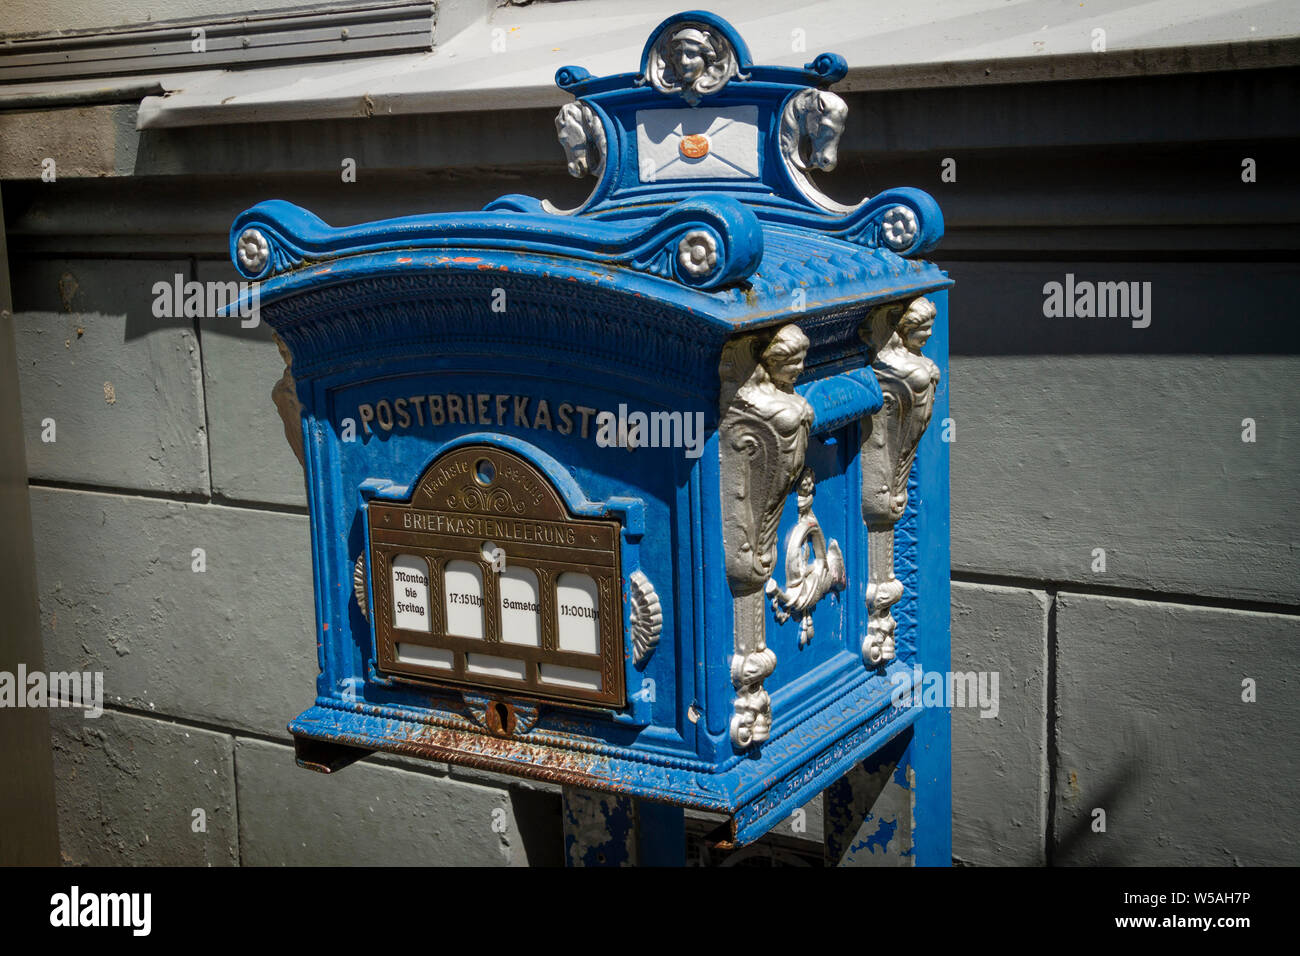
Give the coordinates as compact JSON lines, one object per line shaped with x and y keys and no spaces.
{"x":1121,"y":685}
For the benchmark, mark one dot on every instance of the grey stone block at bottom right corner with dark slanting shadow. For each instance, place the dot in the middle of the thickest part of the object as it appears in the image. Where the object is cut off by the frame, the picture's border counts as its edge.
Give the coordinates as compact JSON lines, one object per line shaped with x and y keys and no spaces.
{"x":1155,"y":732}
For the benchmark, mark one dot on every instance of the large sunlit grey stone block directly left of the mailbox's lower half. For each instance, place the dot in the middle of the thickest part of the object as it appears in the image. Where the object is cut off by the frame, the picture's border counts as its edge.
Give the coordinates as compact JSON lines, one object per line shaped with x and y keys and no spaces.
{"x":233,"y":644}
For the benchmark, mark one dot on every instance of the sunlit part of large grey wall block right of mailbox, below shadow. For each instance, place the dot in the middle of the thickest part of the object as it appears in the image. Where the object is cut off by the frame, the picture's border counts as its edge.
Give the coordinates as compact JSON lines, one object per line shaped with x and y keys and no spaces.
{"x":1139,"y":456}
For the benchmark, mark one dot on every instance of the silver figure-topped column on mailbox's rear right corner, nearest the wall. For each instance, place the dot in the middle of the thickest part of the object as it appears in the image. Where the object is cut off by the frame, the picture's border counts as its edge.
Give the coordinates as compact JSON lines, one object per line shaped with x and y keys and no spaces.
{"x":908,"y":380}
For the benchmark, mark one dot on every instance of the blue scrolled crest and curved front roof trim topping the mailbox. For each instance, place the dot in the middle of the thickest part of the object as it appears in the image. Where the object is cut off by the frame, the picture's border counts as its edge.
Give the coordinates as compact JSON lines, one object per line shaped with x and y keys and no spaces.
{"x":704,"y":141}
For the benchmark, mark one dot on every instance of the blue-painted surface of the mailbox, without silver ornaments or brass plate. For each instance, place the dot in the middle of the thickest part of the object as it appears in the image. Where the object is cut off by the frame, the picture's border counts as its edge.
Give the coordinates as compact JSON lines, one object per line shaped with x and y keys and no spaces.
{"x":603,"y":312}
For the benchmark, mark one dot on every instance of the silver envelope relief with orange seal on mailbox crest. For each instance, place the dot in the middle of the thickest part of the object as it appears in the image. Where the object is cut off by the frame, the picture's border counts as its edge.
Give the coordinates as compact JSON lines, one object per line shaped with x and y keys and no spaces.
{"x":699,"y":144}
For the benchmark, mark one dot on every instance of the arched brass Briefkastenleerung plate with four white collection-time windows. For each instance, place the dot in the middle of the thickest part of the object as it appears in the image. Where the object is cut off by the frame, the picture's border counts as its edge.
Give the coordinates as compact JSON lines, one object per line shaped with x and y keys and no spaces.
{"x":467,"y":504}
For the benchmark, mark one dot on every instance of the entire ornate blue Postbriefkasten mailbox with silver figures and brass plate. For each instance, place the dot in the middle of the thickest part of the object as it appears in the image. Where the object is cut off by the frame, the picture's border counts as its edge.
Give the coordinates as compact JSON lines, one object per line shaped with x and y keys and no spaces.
{"x":638,"y":498}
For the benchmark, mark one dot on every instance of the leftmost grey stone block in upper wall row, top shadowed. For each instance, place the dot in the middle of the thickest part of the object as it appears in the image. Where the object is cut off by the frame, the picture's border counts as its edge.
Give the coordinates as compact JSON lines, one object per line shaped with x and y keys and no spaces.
{"x":122,"y":387}
